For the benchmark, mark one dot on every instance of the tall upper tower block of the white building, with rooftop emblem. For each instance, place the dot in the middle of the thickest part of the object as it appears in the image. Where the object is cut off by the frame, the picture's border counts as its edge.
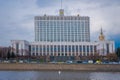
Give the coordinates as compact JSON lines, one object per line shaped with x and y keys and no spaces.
{"x":62,"y":28}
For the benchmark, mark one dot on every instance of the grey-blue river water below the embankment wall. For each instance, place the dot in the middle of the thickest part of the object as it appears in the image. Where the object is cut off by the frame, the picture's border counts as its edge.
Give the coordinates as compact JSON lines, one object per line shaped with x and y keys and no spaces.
{"x":56,"y":75}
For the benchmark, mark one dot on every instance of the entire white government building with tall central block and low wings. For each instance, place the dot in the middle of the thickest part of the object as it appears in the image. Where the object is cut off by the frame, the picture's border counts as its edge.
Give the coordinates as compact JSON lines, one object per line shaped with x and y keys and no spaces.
{"x":63,"y":36}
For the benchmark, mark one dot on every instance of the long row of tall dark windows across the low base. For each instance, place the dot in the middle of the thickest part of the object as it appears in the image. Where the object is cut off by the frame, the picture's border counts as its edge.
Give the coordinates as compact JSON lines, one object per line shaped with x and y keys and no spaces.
{"x":63,"y":48}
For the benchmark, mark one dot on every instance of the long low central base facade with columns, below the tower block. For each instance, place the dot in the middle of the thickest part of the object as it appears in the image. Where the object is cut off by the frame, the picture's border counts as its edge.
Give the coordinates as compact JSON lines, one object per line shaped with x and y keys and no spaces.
{"x":63,"y":48}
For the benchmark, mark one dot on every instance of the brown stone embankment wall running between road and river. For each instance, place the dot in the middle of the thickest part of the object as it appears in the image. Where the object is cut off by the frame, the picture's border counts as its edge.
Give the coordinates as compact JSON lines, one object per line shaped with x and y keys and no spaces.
{"x":62,"y":67}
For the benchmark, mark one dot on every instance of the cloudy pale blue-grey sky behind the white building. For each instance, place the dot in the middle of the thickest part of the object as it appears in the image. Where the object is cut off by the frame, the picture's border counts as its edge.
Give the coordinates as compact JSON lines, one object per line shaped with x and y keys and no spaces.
{"x":17,"y":17}
